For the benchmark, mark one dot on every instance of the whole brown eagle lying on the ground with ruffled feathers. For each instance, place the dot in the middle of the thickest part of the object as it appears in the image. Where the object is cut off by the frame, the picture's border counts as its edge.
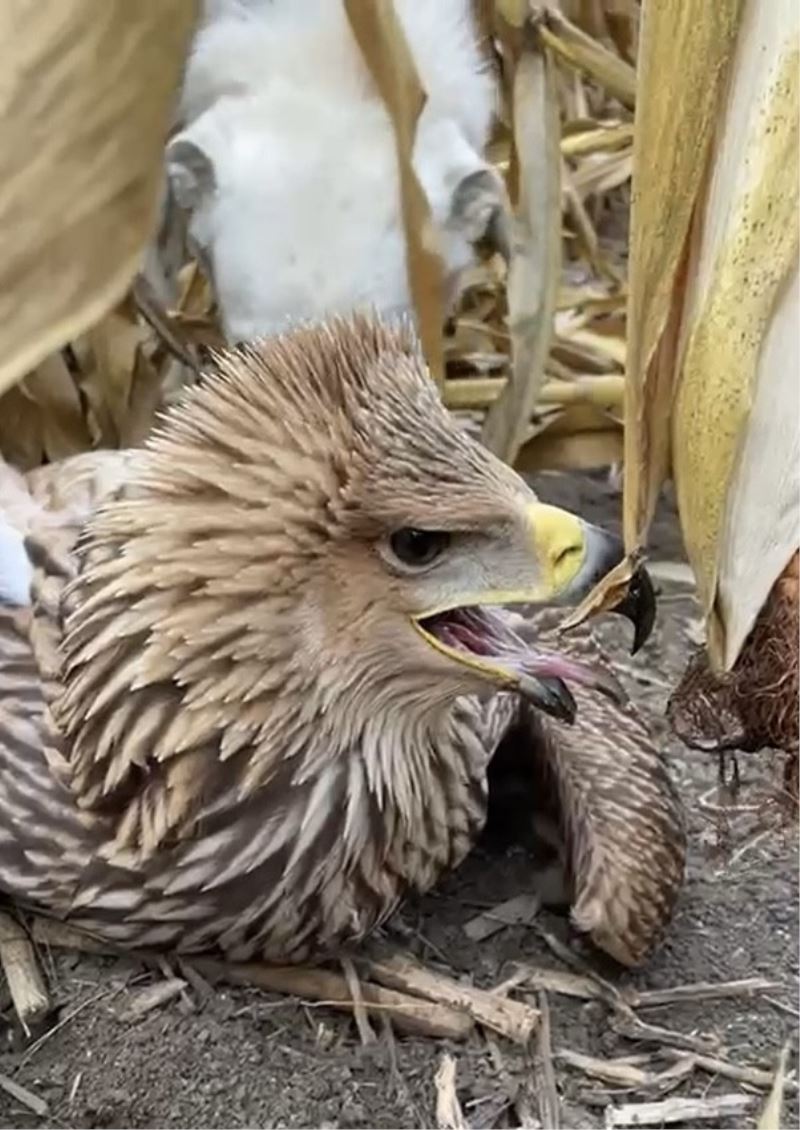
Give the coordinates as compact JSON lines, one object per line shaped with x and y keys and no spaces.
{"x":254,"y":674}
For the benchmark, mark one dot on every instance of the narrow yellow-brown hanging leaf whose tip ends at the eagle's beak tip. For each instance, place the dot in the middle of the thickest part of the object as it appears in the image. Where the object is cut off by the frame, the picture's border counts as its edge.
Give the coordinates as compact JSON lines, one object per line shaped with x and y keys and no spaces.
{"x":675,"y":124}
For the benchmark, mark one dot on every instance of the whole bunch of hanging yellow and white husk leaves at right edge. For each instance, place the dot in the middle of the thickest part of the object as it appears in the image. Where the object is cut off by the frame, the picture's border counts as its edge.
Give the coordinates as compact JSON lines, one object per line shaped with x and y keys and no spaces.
{"x":714,"y":346}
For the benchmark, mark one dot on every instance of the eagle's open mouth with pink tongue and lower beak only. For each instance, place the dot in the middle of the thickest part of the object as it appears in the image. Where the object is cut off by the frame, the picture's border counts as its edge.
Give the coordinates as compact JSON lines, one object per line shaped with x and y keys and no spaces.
{"x":484,"y":638}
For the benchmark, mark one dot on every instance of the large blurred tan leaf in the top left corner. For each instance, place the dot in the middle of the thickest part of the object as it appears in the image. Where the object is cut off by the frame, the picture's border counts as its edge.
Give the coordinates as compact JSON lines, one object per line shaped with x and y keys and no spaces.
{"x":85,"y":106}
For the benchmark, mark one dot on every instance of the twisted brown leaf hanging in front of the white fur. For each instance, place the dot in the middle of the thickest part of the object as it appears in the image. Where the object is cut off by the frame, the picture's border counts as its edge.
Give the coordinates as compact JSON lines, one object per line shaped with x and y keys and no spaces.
{"x":386,"y":51}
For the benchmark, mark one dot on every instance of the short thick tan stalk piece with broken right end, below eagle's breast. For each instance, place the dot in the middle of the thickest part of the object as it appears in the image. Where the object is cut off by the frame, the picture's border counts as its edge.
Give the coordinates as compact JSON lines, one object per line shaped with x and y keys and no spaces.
{"x":509,"y":1018}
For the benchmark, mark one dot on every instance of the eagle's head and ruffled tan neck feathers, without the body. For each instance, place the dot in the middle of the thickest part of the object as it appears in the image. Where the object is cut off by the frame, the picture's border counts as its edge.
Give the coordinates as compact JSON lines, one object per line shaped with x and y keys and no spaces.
{"x":308,"y":545}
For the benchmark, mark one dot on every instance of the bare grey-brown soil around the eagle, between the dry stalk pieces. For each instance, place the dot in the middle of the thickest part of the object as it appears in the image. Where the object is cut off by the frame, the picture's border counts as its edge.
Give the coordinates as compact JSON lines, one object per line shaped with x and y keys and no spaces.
{"x":248,"y":1059}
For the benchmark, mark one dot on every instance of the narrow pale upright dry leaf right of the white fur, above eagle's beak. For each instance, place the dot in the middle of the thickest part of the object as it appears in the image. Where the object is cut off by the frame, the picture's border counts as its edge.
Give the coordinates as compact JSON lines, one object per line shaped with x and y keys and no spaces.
{"x":535,"y":266}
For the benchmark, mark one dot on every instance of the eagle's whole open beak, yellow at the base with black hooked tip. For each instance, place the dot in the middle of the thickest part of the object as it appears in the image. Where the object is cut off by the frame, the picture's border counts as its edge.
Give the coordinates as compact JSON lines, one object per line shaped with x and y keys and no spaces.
{"x":569,"y":558}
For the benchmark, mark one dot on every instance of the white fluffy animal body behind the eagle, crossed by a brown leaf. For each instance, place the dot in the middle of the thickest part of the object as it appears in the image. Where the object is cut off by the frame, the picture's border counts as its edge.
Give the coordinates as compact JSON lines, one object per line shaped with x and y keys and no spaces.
{"x":288,"y":160}
